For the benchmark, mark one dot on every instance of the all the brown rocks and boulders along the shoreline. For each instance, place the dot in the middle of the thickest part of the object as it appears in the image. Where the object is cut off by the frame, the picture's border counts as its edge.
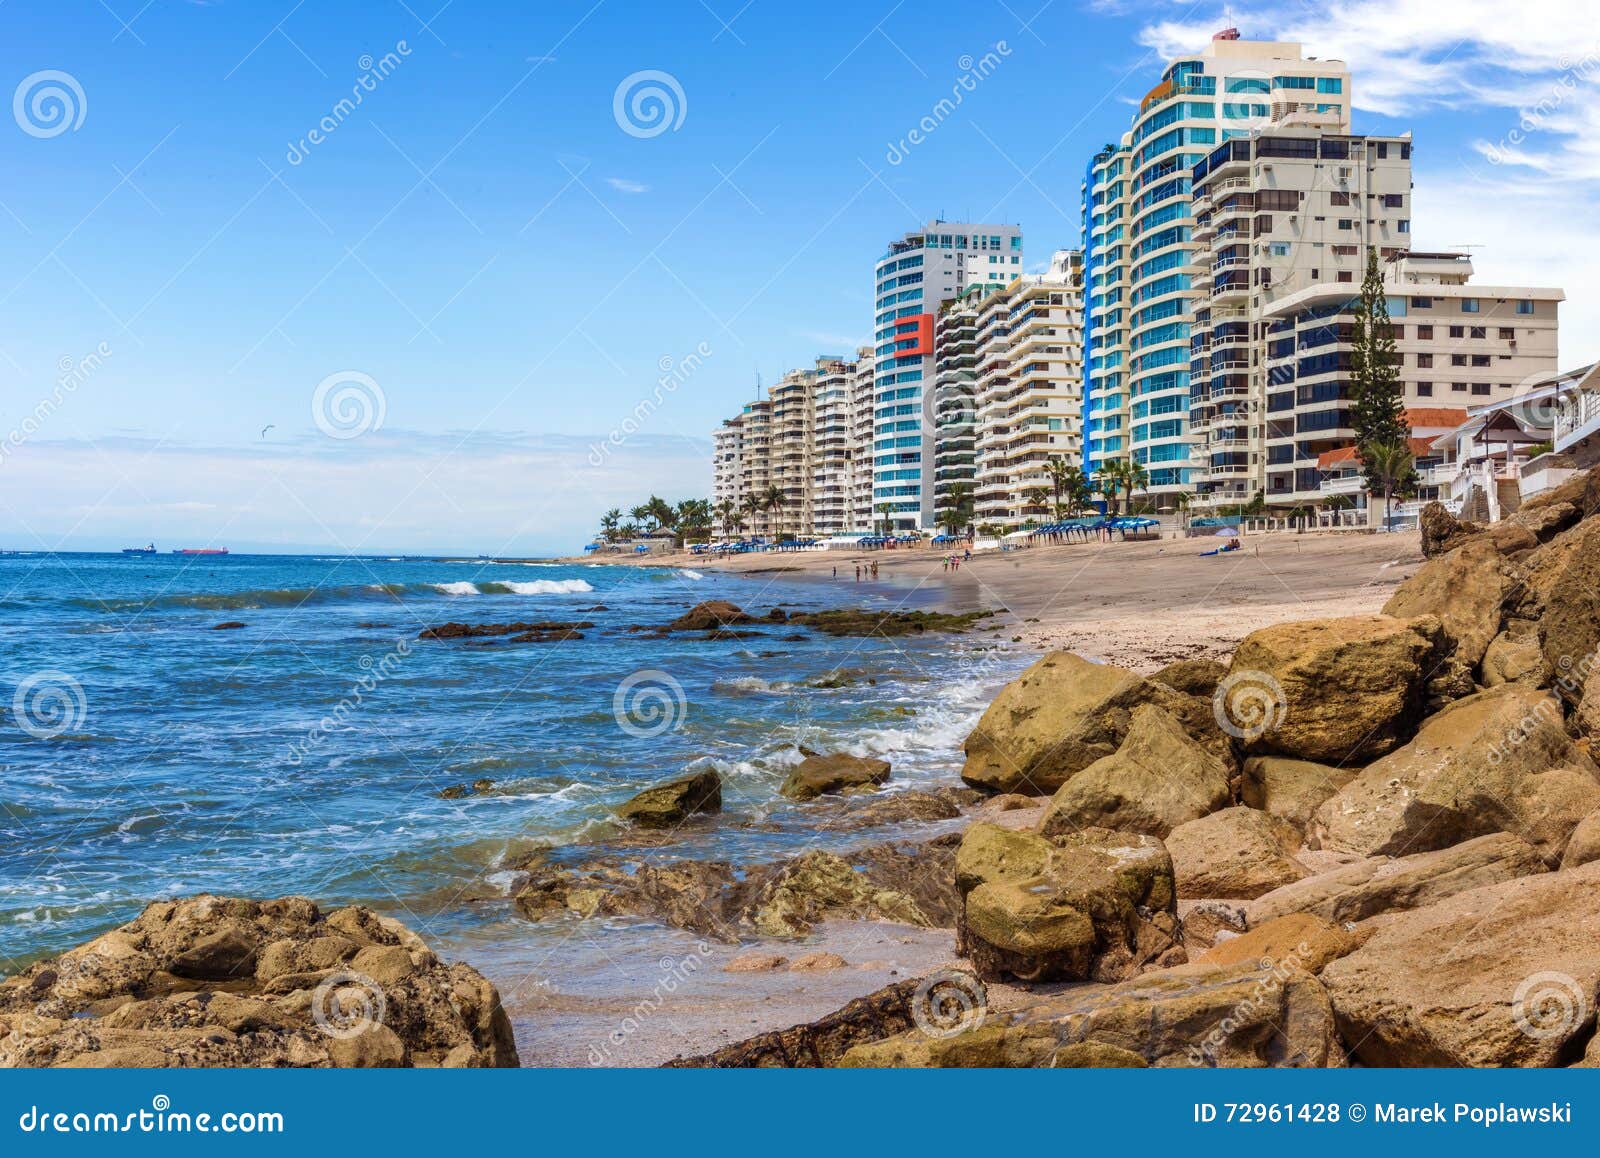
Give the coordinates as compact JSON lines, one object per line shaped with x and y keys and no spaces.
{"x":1364,"y":841}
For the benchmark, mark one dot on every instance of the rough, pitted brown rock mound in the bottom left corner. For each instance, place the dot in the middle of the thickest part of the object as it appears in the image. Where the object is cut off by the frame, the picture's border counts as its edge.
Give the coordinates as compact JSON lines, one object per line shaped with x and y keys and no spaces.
{"x":231,"y":983}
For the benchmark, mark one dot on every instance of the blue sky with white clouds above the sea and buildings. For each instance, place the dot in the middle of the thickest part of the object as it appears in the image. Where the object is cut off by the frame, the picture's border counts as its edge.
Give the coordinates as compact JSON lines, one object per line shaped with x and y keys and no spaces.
{"x":508,"y":270}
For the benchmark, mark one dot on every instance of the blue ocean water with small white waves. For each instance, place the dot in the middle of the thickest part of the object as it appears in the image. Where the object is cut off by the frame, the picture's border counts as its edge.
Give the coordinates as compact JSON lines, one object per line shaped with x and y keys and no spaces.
{"x":146,"y":754}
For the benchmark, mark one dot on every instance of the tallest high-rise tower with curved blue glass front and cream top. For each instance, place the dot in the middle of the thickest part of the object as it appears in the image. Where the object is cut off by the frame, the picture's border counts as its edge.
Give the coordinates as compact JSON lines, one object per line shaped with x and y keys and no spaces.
{"x":1138,"y":233}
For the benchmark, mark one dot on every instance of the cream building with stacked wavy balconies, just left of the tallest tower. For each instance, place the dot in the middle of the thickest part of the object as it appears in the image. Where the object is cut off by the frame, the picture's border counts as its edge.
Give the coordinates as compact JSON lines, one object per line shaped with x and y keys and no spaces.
{"x":1030,"y":383}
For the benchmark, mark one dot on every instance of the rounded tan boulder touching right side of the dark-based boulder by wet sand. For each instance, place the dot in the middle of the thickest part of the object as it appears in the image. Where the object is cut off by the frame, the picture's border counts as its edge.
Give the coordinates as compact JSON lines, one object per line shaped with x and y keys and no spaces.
{"x":1238,"y":853}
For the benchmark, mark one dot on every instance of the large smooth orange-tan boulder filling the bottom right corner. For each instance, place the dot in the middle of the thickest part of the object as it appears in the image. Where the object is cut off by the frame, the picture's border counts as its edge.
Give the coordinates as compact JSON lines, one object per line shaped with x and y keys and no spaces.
{"x":1495,"y":976}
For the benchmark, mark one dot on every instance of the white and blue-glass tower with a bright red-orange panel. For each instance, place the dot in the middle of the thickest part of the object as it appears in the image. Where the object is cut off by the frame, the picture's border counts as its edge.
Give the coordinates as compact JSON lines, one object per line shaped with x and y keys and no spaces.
{"x":913,"y":281}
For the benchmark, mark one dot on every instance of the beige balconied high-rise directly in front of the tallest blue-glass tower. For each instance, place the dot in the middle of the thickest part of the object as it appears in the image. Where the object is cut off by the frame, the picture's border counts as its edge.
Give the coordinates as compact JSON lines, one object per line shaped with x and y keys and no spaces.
{"x":1274,"y":214}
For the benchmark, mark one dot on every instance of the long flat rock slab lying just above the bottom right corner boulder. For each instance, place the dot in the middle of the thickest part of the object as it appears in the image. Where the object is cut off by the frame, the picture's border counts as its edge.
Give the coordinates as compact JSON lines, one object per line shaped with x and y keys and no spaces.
{"x":1382,"y":885}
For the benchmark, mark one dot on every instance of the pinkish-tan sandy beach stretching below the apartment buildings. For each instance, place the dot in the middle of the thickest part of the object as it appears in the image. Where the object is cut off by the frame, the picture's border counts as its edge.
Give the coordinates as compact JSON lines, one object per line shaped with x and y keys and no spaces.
{"x":1134,"y":604}
